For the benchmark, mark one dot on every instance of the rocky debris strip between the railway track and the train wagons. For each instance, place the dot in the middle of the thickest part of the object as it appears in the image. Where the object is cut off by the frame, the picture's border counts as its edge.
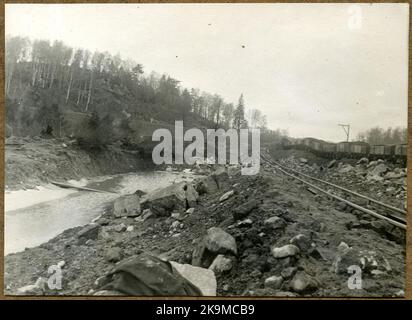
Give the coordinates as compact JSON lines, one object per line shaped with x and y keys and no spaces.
{"x":379,"y":179}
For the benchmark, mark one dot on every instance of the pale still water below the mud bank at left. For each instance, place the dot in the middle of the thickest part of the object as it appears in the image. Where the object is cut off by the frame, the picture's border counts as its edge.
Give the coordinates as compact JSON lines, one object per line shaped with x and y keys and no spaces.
{"x":35,"y":216}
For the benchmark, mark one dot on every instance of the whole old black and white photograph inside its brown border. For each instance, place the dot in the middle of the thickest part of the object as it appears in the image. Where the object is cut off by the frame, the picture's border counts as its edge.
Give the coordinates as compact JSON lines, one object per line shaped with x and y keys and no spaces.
{"x":231,"y":150}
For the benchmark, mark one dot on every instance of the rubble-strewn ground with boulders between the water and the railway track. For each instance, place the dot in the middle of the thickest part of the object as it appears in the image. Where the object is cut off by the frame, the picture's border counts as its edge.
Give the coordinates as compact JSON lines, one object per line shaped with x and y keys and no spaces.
{"x":230,"y":235}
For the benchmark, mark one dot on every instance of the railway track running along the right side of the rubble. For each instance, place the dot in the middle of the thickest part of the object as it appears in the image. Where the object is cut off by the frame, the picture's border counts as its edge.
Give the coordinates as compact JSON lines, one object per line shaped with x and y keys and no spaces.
{"x":391,"y":214}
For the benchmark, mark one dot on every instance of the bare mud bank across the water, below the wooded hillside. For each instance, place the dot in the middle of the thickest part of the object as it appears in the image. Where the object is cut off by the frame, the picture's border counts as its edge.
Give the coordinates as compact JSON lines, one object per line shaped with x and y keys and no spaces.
{"x":31,"y":162}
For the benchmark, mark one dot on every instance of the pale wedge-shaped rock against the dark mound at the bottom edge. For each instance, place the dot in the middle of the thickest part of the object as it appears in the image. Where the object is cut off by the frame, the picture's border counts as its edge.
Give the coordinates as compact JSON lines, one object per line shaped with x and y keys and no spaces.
{"x":202,"y":278}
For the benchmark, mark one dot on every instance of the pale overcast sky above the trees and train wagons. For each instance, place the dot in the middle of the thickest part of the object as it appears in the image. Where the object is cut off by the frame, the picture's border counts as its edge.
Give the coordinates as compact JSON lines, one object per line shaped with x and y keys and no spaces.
{"x":308,"y":67}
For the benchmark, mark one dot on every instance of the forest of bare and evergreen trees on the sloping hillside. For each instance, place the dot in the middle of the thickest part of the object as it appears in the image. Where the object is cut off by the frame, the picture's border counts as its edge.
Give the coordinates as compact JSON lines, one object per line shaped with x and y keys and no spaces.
{"x":47,"y":83}
